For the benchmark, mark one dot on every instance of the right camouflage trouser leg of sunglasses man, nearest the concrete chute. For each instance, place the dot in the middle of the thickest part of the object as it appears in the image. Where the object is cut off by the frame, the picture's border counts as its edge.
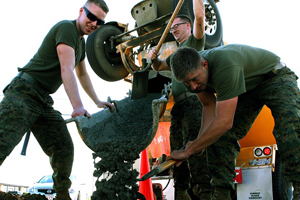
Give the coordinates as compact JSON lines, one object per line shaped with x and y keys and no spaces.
{"x":53,"y":136}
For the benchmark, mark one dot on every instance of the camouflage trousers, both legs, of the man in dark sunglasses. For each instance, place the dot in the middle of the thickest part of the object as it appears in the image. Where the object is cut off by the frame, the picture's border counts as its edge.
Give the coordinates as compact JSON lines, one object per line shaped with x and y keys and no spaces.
{"x":23,"y":108}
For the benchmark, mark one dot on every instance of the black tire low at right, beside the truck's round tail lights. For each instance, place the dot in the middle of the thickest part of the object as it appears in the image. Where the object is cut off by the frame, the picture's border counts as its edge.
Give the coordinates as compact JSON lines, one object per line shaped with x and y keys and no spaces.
{"x":280,"y":187}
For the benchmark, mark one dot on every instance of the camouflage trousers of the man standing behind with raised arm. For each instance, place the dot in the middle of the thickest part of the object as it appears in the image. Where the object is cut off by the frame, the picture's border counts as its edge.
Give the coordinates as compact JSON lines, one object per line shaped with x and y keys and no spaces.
{"x":185,"y":126}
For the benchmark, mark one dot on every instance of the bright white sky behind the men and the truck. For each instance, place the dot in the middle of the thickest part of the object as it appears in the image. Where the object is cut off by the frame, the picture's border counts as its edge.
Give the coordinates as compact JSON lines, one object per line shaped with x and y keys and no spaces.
{"x":269,"y":24}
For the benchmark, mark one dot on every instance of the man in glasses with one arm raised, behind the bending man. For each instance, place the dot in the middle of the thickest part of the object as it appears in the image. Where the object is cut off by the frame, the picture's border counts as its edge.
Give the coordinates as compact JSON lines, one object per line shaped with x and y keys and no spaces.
{"x":187,"y":107}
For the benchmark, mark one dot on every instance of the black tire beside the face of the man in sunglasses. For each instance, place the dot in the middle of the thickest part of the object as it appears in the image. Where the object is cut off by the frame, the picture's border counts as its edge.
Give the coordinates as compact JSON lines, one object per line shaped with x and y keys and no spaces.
{"x":104,"y":60}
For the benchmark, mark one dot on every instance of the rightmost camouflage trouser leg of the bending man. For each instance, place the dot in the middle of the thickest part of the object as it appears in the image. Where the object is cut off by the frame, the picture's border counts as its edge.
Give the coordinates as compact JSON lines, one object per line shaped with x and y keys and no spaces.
{"x":282,"y":96}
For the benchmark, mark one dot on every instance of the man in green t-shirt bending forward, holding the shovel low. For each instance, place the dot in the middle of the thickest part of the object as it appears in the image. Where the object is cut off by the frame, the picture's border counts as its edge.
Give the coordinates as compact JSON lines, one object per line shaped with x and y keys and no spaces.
{"x":233,"y":83}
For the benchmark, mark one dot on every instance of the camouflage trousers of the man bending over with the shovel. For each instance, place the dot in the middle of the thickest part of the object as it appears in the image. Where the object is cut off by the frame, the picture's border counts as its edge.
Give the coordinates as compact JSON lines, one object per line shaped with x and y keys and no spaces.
{"x":281,"y":94}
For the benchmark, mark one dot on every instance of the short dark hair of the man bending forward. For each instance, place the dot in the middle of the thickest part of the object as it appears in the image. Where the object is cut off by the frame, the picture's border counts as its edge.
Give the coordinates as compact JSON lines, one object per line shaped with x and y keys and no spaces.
{"x":183,"y":61}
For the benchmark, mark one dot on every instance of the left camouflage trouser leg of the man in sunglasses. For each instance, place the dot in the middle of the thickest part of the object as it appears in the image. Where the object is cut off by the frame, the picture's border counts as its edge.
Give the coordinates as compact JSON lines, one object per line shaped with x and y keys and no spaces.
{"x":19,"y":108}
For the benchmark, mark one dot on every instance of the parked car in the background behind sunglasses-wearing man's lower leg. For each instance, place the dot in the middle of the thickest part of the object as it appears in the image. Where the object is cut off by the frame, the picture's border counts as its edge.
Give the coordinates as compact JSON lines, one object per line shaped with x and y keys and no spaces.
{"x":45,"y":187}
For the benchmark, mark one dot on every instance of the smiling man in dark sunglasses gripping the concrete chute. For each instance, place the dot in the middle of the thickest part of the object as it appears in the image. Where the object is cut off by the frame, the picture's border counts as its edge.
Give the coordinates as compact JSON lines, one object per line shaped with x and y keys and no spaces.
{"x":27,"y":104}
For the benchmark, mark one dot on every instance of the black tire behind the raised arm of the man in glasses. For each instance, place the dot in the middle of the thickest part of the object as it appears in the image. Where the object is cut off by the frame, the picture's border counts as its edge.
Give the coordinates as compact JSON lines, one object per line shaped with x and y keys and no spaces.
{"x":211,"y":41}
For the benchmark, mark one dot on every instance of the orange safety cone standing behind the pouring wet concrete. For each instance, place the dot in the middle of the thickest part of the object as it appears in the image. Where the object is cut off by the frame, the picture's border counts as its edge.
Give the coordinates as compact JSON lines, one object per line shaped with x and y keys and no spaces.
{"x":145,"y":187}
